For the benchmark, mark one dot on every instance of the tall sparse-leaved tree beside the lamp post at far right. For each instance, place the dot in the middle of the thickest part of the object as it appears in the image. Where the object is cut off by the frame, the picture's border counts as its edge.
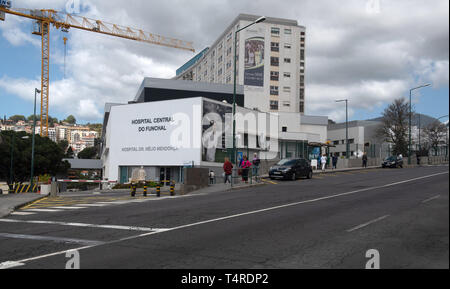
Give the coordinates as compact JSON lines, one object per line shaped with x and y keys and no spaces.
{"x":395,"y":126}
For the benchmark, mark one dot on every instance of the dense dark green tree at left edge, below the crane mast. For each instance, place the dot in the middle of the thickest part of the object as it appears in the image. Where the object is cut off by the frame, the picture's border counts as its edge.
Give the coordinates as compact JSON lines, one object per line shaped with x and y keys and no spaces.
{"x":47,"y":158}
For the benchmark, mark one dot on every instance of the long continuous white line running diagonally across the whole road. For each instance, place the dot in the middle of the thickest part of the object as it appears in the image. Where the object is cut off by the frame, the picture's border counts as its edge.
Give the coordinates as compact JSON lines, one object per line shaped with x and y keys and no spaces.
{"x":225,"y":218}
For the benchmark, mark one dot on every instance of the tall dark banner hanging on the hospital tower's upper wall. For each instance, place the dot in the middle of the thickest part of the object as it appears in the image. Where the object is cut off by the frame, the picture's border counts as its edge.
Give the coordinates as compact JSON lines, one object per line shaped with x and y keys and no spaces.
{"x":254,"y":61}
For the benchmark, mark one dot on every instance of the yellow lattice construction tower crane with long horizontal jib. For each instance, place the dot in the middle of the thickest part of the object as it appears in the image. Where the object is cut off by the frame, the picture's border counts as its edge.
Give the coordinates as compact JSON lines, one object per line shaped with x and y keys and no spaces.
{"x":44,"y":18}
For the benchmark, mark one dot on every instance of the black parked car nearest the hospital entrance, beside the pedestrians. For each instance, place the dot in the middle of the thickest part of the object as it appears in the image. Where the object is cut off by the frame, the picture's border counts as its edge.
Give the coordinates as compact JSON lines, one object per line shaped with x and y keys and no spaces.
{"x":291,"y":169}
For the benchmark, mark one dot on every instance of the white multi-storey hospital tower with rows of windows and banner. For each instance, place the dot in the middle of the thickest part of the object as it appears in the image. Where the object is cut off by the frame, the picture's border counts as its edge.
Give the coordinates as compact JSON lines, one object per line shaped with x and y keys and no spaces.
{"x":279,"y":84}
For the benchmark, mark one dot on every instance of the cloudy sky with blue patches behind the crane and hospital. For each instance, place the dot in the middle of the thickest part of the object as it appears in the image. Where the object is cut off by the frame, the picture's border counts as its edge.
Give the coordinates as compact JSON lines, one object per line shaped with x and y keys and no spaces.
{"x":368,"y":51}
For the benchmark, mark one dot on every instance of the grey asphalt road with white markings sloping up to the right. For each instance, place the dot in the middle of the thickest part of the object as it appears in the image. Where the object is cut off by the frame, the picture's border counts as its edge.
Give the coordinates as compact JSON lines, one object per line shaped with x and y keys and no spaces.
{"x":330,"y":221}
